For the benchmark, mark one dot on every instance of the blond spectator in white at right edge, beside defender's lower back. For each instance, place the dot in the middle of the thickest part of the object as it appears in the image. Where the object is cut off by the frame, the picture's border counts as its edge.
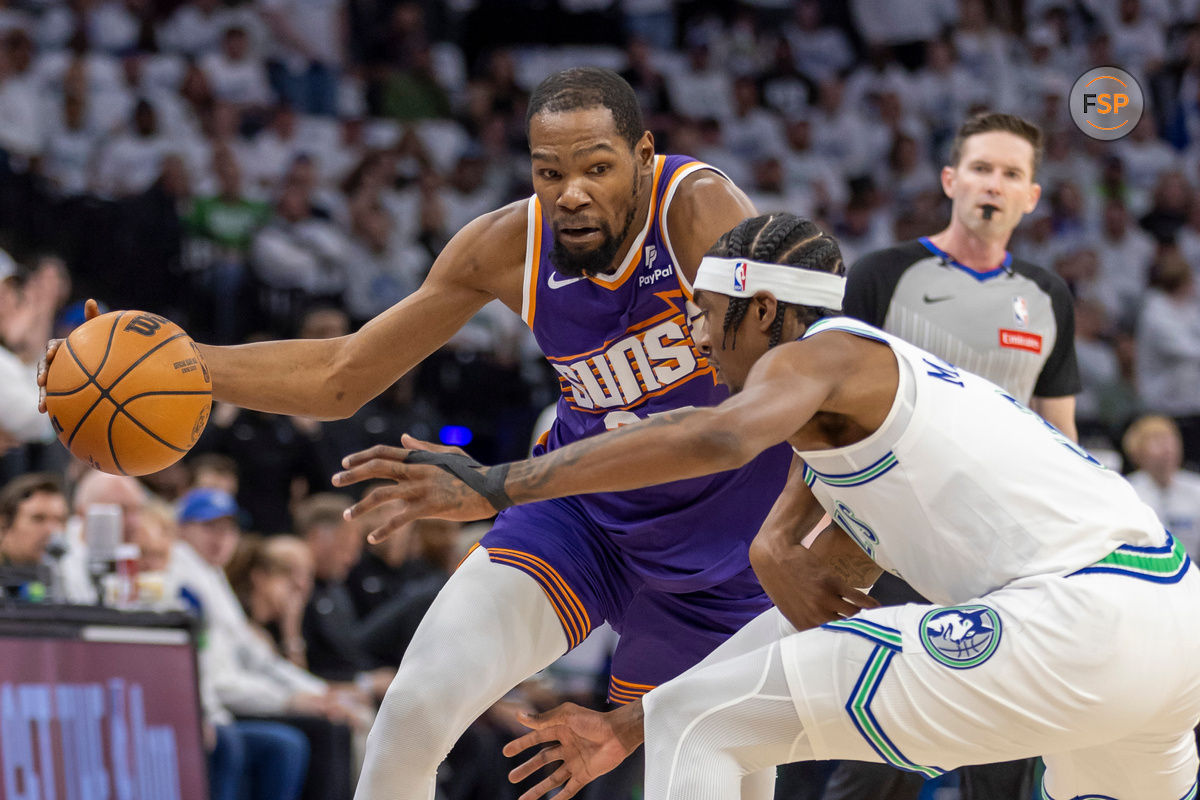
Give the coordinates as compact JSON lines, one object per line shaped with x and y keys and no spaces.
{"x":1154,"y":446}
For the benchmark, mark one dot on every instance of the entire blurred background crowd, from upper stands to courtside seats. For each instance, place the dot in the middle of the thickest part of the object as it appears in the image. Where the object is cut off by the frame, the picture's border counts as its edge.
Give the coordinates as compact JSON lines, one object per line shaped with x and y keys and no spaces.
{"x":293,"y":167}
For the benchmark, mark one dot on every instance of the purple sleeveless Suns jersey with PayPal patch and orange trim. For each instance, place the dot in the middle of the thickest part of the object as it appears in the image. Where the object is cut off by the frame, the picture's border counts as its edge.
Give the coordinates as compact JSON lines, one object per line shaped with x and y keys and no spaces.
{"x":623,"y":352}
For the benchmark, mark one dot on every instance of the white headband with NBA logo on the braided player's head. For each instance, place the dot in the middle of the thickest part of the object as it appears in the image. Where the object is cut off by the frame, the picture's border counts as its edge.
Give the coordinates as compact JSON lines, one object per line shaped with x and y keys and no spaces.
{"x":740,"y":278}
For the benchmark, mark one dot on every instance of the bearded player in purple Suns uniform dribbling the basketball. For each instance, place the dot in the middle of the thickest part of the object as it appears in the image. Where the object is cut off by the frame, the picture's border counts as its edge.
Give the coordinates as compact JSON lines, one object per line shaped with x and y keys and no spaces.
{"x":599,"y":264}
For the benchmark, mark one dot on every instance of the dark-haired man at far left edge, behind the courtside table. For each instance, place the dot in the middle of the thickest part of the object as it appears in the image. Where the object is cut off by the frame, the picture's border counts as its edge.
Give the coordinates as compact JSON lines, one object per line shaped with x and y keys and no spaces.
{"x":33,"y":510}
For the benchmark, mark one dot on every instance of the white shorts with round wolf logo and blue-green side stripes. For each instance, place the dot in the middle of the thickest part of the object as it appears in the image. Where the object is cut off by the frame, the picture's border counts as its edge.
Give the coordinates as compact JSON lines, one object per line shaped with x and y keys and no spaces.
{"x":1099,"y":673}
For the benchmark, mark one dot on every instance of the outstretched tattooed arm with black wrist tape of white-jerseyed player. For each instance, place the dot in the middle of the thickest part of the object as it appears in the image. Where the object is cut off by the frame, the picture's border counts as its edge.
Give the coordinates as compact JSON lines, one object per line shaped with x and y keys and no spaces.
{"x":784,"y":390}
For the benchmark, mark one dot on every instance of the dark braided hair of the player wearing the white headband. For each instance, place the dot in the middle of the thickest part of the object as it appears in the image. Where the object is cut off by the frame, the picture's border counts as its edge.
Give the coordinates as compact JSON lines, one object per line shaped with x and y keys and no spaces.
{"x":778,"y":239}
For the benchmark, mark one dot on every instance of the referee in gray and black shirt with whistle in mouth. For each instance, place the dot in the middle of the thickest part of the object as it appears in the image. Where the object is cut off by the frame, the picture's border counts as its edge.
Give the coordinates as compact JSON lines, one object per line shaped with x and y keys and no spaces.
{"x":962,"y":296}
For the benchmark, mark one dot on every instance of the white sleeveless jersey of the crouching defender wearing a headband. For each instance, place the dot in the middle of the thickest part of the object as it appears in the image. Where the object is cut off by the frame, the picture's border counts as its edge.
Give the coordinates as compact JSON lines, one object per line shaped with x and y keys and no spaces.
{"x":963,"y":490}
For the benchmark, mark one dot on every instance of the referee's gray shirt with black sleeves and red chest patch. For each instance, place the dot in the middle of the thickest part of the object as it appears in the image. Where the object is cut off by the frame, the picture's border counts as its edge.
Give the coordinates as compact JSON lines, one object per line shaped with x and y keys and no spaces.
{"x":1015,"y":324}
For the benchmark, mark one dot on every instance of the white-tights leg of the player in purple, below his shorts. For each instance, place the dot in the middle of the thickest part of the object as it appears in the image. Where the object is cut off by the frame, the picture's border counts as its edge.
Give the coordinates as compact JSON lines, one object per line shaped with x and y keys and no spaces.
{"x":490,"y":628}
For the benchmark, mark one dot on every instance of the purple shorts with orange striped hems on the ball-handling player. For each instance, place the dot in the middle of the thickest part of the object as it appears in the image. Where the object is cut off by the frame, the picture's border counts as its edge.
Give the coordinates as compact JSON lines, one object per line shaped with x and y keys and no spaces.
{"x":590,"y":581}
